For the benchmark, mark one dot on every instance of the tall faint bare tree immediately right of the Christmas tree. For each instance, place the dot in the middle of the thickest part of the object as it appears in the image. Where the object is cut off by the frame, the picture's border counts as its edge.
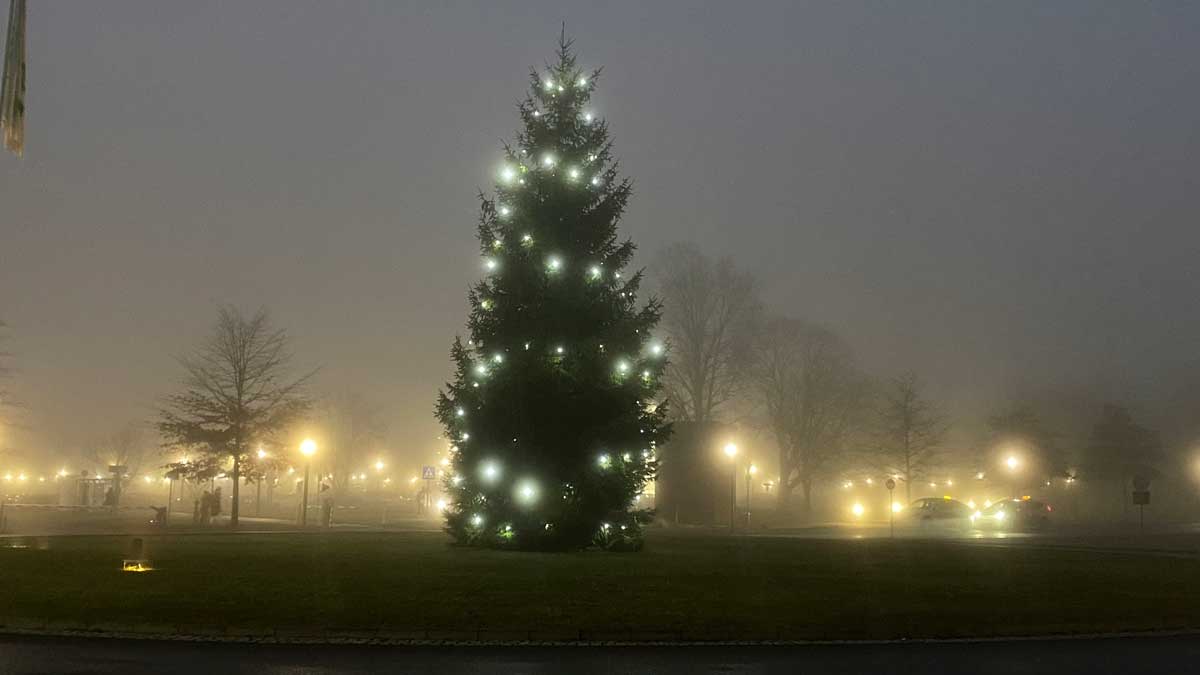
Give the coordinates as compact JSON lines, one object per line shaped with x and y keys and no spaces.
{"x":711,"y":310}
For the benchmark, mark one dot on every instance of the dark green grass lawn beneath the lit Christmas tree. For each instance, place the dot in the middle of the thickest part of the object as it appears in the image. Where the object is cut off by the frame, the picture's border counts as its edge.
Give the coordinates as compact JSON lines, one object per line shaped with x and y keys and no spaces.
{"x":681,"y":587}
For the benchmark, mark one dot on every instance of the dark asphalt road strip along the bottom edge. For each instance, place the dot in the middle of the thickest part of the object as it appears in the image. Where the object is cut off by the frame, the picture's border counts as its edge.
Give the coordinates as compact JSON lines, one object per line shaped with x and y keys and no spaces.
{"x":1125,"y":656}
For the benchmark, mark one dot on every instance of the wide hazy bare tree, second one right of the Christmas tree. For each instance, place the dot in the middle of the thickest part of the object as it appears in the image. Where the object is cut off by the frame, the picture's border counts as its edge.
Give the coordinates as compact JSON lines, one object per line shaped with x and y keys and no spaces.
{"x":813,"y":397}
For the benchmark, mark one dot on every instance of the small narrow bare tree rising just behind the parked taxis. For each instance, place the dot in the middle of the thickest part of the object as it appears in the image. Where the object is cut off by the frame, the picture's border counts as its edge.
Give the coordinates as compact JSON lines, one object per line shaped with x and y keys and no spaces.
{"x":910,"y":432}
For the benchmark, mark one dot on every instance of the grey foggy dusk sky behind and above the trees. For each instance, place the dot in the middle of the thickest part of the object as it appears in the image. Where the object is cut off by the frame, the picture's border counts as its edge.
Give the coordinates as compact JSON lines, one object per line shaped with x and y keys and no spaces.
{"x":991,"y":195}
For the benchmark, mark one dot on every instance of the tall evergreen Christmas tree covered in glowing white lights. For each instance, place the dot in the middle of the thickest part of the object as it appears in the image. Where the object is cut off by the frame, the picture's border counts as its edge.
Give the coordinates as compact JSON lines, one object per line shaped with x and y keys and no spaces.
{"x":553,"y":414}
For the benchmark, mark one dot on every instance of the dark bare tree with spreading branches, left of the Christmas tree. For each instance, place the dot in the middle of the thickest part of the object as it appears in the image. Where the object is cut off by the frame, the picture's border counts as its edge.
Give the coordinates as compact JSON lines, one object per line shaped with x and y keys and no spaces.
{"x":237,"y":393}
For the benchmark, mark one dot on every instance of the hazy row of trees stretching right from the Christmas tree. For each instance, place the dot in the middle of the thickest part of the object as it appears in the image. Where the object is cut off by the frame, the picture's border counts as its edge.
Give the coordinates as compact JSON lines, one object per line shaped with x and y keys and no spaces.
{"x":799,"y":381}
